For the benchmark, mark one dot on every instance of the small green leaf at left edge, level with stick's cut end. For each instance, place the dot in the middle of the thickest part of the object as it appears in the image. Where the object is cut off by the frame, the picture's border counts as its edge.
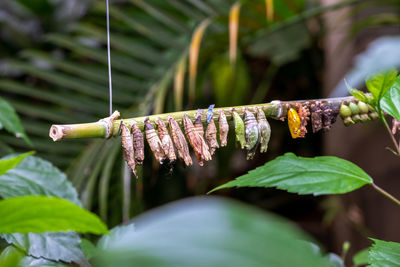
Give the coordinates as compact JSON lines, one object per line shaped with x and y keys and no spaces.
{"x":10,"y":121}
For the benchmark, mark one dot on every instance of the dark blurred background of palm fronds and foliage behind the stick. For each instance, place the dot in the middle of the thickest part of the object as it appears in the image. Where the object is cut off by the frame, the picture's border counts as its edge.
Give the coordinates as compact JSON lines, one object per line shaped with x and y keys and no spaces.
{"x":53,"y":70}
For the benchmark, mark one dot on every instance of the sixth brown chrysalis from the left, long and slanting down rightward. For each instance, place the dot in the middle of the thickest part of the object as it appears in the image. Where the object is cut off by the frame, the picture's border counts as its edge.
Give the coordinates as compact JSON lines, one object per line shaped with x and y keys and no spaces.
{"x":198,"y":143}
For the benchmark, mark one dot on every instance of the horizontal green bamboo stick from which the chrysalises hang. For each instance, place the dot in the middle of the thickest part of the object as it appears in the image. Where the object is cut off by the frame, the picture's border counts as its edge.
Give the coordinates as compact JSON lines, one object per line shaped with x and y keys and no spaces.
{"x":108,"y":127}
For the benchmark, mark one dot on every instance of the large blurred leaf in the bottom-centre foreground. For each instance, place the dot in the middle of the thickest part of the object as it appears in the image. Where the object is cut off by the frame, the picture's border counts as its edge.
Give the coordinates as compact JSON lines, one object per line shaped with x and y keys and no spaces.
{"x":207,"y":232}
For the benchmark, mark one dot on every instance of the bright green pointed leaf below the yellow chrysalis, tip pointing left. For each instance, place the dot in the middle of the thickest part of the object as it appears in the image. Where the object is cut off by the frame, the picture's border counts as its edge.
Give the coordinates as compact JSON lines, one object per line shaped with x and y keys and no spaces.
{"x":318,"y":176}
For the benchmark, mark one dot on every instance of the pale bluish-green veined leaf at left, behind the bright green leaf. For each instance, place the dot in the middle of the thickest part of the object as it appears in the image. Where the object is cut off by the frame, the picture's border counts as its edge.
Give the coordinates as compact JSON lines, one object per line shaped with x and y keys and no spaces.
{"x":34,"y":176}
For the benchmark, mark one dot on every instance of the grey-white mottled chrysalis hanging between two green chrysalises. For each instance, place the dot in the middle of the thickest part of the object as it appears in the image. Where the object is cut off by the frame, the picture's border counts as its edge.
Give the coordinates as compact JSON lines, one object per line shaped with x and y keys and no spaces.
{"x":252,"y":134}
